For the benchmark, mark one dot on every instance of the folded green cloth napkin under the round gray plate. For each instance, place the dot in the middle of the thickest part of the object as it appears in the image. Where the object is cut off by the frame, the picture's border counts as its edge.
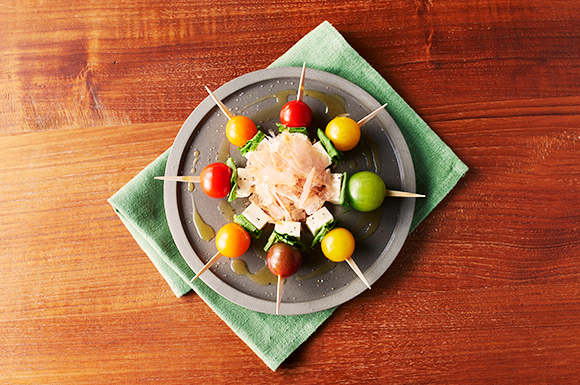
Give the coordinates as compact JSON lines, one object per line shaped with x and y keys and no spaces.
{"x":273,"y":338}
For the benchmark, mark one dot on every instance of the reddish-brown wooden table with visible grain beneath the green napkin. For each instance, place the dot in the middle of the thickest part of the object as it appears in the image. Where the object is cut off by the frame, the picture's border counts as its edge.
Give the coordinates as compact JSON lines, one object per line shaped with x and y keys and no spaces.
{"x":485,"y":290}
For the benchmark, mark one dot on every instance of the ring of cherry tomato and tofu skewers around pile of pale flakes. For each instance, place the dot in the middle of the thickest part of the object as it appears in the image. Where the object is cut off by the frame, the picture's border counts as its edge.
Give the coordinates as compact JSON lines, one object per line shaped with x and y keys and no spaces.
{"x":288,"y":183}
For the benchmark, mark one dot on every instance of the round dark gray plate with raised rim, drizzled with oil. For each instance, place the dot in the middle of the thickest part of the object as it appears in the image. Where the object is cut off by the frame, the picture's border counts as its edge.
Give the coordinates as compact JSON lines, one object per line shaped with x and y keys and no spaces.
{"x":320,"y":284}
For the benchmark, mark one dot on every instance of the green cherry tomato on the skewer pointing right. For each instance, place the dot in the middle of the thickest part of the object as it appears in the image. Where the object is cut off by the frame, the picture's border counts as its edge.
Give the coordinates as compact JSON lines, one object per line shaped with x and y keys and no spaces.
{"x":366,"y":191}
